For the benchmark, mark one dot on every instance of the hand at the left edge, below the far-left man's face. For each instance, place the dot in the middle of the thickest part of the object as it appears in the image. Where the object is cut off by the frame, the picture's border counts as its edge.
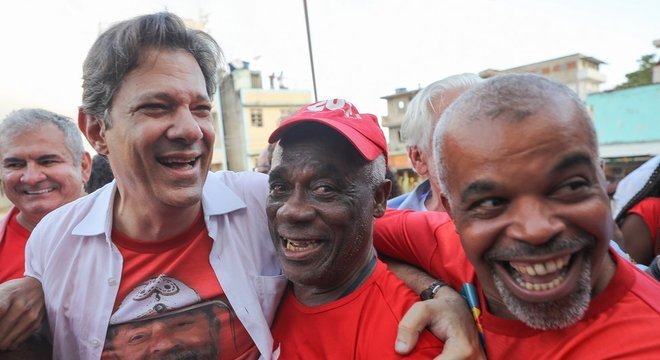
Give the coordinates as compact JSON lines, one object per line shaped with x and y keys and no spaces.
{"x":21,"y":311}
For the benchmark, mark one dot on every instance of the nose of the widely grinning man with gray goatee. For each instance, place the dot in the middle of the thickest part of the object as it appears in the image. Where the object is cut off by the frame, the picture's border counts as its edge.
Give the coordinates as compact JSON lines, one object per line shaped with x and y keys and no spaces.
{"x":534,"y":222}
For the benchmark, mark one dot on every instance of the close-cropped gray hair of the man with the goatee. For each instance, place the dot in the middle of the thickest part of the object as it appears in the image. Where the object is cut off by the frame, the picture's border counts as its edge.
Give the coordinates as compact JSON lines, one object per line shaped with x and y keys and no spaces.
{"x":512,"y":97}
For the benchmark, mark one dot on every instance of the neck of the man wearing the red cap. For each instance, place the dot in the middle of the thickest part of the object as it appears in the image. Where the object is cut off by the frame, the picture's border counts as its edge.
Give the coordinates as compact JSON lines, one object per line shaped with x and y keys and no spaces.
{"x":315,"y":296}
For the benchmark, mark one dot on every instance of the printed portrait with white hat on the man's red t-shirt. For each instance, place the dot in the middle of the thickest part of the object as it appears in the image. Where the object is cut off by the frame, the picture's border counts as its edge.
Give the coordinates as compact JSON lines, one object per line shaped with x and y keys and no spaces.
{"x":163,"y":318}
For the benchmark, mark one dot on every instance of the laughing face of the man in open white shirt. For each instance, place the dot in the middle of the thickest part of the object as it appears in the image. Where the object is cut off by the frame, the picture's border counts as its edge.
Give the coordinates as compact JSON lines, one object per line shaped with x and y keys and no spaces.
{"x":161,"y":140}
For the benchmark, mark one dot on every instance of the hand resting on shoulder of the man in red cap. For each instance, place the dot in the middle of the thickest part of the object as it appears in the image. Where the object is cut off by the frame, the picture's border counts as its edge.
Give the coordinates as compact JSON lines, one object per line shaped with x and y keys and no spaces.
{"x":448,"y":318}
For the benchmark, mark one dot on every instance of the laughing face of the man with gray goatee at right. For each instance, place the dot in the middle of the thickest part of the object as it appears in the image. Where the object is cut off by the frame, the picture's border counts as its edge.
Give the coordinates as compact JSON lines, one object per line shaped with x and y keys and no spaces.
{"x":532,"y":213}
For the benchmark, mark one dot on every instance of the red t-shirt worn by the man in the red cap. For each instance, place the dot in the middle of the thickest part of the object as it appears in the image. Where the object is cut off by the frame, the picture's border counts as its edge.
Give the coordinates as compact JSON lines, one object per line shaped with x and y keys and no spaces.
{"x":362,"y":325}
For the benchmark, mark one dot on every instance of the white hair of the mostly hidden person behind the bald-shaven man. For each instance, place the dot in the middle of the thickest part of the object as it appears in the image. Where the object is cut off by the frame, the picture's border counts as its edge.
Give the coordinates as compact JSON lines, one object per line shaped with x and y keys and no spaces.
{"x":427,"y":106}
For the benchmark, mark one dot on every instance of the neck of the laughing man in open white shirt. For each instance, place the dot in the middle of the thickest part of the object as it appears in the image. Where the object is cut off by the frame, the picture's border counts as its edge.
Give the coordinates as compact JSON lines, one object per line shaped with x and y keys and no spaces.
{"x":152,"y":224}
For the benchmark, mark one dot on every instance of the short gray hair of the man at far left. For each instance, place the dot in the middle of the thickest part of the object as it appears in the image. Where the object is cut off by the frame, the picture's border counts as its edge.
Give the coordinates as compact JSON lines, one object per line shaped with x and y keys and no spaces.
{"x":25,"y":120}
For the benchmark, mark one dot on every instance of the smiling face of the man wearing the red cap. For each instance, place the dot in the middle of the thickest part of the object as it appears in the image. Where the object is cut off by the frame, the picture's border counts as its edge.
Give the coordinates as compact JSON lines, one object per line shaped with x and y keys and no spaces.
{"x":320,"y":211}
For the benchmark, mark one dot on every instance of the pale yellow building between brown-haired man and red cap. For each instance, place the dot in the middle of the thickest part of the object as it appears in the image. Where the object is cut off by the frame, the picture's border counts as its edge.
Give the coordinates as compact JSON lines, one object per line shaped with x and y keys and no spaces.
{"x":249,"y":113}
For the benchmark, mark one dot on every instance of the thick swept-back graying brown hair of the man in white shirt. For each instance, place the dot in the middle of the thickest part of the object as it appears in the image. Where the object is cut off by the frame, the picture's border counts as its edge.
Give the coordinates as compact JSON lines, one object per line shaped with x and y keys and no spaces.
{"x":117,"y":51}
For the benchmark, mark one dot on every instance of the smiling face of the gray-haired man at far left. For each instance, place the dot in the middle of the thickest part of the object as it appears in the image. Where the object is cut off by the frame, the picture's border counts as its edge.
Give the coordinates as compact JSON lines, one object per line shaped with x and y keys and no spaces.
{"x":39,"y":173}
